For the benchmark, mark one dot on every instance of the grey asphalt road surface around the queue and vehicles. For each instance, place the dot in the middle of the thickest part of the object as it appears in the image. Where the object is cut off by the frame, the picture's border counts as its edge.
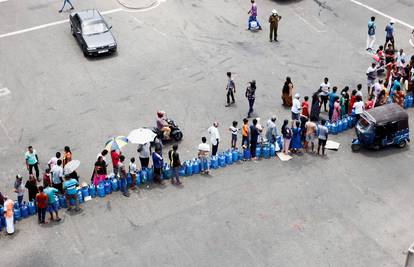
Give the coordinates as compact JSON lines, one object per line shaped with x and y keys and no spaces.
{"x":343,"y":210}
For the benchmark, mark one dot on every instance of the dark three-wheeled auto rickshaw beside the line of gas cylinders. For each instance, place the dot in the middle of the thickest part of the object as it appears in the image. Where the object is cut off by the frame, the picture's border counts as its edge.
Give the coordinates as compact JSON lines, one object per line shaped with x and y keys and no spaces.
{"x":382,"y":126}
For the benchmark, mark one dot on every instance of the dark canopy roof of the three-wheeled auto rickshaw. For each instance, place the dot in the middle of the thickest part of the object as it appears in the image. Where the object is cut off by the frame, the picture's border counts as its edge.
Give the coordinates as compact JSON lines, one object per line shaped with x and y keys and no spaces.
{"x":386,"y":114}
